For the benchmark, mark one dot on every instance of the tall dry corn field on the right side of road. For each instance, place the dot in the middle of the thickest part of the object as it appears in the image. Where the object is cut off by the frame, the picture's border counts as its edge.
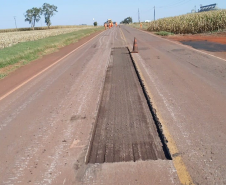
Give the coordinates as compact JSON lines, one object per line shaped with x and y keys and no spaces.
{"x":191,"y":23}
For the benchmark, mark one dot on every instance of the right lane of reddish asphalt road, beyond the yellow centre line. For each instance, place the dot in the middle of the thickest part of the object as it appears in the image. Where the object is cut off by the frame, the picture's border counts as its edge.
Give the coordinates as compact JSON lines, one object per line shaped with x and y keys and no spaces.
{"x":189,"y":93}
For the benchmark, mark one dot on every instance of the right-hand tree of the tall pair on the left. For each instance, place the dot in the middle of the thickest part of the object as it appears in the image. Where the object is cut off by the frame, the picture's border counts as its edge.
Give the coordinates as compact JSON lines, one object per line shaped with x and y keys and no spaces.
{"x":48,"y":11}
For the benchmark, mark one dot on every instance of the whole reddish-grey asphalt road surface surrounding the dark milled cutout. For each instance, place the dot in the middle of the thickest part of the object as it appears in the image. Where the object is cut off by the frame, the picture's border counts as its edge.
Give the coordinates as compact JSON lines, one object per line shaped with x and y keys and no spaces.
{"x":46,"y":124}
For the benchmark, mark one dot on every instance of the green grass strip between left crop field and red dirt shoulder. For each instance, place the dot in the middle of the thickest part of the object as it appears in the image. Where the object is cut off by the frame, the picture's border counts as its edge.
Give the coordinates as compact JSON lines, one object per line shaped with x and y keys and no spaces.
{"x":12,"y":58}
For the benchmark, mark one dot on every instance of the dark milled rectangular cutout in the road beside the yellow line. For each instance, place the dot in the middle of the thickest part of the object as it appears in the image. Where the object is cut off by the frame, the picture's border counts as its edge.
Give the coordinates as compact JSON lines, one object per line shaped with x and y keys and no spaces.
{"x":126,"y":127}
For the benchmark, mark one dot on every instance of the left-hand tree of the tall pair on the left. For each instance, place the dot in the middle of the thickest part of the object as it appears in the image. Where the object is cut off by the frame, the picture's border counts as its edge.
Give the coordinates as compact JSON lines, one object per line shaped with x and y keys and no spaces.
{"x":32,"y":16}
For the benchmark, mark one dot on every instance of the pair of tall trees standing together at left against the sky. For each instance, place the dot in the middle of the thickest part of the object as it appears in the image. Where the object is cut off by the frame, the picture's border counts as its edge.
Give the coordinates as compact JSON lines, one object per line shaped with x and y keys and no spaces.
{"x":33,"y":15}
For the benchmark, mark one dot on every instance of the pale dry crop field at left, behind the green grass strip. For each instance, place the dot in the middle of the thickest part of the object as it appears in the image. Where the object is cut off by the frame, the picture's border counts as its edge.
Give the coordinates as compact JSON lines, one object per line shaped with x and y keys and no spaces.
{"x":8,"y":39}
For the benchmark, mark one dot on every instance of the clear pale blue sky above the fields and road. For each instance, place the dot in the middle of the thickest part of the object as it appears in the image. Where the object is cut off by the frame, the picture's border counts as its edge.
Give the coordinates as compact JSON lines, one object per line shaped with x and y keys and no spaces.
{"x":76,"y":12}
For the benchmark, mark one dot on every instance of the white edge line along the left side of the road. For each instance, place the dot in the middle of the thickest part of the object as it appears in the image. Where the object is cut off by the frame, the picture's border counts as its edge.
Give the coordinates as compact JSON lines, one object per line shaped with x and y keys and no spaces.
{"x":19,"y":86}
